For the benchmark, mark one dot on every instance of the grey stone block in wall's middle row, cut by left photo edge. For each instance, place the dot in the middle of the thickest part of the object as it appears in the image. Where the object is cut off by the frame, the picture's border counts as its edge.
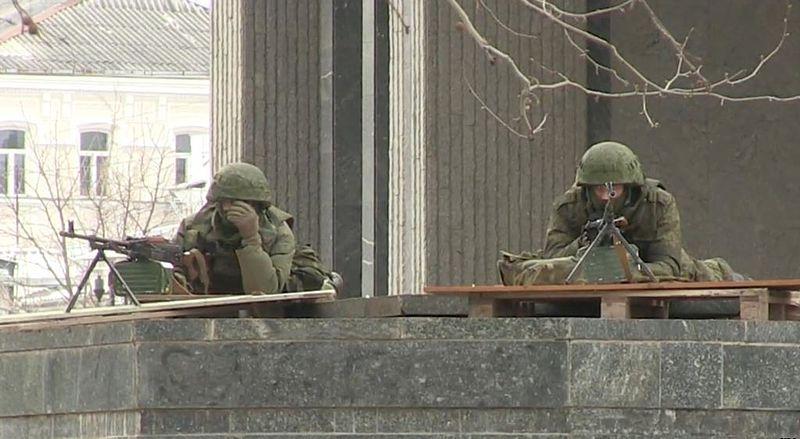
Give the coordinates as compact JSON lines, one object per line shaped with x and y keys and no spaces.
{"x":21,"y":389}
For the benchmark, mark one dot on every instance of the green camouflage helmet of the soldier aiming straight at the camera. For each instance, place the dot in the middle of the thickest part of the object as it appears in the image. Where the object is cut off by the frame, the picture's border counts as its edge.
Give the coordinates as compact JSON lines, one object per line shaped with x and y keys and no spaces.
{"x":609,"y":162}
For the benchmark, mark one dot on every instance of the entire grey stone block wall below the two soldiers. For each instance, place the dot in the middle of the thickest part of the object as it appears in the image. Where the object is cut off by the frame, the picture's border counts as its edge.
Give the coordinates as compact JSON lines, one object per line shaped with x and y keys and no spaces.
{"x":415,"y":377}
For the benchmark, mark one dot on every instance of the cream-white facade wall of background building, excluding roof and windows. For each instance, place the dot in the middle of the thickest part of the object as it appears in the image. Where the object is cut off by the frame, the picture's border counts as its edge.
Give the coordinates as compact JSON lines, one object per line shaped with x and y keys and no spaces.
{"x":142,"y":117}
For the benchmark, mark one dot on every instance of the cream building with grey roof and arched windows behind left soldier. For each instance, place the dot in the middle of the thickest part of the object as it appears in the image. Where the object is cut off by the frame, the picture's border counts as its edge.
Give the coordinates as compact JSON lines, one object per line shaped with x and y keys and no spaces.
{"x":105,"y":121}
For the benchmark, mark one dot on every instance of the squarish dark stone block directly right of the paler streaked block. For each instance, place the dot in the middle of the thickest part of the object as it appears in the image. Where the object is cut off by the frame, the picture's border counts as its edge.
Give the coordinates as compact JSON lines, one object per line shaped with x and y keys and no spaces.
{"x":691,"y":375}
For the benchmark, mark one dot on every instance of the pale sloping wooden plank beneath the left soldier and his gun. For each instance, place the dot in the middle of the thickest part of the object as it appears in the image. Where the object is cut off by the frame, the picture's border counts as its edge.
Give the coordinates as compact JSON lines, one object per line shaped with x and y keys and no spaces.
{"x":206,"y":302}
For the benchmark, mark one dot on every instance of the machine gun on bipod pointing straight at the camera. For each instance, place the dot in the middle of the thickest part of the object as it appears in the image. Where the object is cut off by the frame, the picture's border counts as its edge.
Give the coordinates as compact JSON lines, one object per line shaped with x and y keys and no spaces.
{"x":604,"y":232}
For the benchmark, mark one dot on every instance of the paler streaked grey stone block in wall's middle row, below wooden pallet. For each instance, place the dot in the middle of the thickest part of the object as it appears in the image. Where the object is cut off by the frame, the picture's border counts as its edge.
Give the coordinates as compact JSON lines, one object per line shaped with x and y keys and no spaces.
{"x":614,"y":374}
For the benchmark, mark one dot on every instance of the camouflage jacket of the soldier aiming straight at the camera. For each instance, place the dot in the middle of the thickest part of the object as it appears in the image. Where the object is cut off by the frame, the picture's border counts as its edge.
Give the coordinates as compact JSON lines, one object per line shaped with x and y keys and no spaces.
{"x":654,"y":226}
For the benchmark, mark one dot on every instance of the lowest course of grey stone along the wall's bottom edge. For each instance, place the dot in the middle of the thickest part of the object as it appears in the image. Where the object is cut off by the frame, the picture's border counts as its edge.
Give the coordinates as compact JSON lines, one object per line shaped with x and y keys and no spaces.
{"x":423,"y":423}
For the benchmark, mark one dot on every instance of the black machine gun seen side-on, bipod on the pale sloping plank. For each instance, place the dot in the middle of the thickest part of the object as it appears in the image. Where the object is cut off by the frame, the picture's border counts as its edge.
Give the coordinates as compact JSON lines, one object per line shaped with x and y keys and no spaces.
{"x":154,"y":248}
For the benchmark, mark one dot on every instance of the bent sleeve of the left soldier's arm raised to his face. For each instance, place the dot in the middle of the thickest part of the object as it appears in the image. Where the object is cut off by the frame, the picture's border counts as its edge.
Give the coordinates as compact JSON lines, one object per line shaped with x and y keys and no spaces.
{"x":267,"y":272}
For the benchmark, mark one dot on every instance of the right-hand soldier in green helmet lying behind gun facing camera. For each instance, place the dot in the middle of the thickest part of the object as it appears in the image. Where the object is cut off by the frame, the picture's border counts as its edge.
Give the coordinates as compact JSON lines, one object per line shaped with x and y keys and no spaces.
{"x":653,"y":222}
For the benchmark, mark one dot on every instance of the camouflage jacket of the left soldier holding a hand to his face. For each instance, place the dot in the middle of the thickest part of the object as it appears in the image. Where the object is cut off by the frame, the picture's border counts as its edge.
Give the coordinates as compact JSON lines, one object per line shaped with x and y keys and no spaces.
{"x":228,"y":262}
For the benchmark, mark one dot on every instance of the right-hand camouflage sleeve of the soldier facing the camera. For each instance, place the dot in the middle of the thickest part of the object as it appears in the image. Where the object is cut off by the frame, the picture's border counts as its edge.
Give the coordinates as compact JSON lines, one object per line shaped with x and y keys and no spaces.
{"x":665,"y":252}
